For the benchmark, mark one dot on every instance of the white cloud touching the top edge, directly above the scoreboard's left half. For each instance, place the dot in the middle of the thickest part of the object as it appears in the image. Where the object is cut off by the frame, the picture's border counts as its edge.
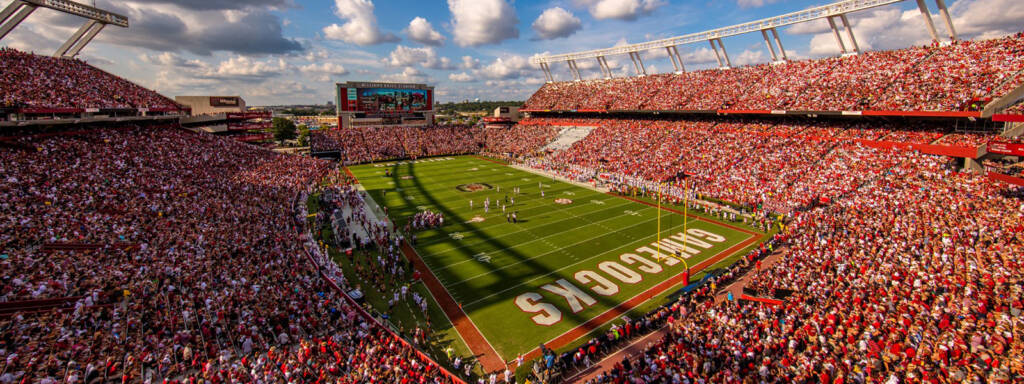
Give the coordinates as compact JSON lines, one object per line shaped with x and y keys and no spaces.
{"x":361,"y":24}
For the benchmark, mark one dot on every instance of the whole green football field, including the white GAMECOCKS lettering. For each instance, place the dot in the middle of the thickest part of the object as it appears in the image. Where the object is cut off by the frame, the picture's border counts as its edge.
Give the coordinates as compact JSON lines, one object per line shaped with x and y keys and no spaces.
{"x":581,"y":260}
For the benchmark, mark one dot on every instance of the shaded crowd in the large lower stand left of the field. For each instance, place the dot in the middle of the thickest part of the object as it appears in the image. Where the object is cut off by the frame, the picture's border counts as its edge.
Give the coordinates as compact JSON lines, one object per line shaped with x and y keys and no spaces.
{"x":200,"y":272}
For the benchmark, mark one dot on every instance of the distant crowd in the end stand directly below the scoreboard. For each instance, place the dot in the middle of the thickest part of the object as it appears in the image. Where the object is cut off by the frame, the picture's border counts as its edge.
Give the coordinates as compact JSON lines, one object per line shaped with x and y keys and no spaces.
{"x":364,"y":145}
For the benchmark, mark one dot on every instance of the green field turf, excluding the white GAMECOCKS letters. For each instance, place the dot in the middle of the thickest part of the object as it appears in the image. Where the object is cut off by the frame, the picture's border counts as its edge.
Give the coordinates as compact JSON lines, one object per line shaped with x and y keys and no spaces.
{"x":507,"y":252}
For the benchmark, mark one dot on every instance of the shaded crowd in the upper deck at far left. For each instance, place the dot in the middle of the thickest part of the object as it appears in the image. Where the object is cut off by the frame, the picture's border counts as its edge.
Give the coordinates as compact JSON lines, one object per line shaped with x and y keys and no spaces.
{"x":45,"y":82}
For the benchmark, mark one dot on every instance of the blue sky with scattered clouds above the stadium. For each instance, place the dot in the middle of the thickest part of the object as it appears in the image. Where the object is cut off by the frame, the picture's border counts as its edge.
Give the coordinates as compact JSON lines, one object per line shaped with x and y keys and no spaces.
{"x":292,"y":52}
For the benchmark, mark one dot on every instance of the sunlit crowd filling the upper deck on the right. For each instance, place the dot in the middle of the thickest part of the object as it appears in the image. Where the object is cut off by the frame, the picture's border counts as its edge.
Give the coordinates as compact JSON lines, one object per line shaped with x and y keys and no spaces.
{"x":956,"y":77}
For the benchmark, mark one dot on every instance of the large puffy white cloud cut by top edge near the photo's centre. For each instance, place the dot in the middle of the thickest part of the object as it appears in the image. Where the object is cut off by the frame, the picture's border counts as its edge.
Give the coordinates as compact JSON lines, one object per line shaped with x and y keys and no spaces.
{"x":483,"y":22}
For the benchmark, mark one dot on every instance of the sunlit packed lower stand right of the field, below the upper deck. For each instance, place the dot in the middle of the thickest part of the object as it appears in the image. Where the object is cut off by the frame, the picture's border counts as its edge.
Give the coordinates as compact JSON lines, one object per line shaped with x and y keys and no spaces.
{"x":901,"y":266}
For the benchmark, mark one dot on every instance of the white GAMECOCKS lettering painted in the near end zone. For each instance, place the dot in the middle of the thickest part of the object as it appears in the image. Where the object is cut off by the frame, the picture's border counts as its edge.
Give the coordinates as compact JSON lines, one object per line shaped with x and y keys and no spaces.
{"x":620,"y":273}
